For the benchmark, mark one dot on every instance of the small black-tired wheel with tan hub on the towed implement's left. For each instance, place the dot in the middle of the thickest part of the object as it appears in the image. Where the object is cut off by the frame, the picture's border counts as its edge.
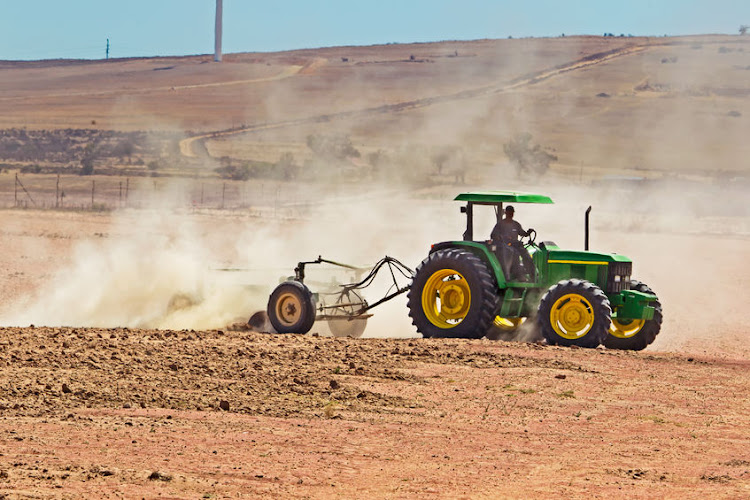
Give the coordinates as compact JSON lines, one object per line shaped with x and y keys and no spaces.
{"x":291,"y":308}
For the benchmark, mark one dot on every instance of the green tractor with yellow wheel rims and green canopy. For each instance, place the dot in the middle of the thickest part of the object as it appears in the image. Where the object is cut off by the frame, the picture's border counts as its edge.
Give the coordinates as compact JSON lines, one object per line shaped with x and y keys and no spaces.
{"x":471,"y":289}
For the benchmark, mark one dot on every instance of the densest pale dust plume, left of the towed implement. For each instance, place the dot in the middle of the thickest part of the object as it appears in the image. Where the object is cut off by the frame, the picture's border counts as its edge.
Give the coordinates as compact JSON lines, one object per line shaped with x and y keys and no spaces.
{"x":150,"y":272}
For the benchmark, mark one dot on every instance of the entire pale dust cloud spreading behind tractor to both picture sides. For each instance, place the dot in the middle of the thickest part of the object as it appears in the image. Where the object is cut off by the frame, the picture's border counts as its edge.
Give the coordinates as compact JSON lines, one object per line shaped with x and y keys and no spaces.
{"x":165,"y":267}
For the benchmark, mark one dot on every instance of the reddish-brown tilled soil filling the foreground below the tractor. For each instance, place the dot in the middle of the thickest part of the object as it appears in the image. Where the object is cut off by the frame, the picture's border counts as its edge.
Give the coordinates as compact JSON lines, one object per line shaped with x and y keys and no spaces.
{"x":214,"y":414}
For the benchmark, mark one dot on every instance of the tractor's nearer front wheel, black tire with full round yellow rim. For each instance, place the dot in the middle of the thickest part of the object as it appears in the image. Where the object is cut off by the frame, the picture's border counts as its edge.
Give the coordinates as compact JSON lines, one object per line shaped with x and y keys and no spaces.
{"x":575,"y":312}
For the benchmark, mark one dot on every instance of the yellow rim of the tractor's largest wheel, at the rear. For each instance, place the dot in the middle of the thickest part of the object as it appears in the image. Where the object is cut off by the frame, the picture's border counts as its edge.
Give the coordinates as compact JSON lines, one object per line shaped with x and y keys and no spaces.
{"x":446,"y":298}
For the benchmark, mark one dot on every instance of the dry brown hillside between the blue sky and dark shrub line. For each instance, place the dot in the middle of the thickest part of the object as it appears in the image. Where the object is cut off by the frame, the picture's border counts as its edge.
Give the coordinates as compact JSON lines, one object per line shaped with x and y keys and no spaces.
{"x":597,"y":103}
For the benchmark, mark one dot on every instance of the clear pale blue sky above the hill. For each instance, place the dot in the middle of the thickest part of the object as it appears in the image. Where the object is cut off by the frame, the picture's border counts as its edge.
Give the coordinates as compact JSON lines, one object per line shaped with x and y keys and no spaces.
{"x":42,"y":29}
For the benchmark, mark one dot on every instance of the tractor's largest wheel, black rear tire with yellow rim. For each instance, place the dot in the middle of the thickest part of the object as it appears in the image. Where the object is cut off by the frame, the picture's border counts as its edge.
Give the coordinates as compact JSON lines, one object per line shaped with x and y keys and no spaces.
{"x":472,"y":313}
